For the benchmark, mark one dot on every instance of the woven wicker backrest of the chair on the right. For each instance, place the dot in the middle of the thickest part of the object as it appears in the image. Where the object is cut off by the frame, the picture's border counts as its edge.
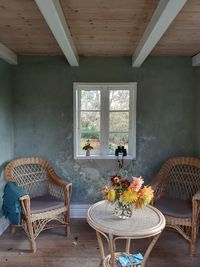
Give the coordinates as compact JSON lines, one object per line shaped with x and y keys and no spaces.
{"x":181,"y":177}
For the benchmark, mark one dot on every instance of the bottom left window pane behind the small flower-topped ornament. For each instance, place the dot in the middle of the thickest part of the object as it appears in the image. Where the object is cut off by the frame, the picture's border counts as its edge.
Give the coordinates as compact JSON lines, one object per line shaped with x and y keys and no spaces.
{"x":94,"y":141}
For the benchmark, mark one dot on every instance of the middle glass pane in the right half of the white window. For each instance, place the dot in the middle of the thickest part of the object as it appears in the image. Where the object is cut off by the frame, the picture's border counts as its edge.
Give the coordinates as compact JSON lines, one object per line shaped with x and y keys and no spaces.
{"x":119,"y":121}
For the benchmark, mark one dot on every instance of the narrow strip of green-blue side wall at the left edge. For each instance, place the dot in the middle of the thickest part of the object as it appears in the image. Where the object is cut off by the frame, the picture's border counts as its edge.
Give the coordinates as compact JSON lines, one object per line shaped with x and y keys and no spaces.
{"x":6,"y":123}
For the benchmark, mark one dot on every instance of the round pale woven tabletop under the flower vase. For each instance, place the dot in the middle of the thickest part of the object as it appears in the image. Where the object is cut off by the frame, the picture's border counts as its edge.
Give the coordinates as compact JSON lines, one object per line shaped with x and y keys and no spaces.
{"x":145,"y":222}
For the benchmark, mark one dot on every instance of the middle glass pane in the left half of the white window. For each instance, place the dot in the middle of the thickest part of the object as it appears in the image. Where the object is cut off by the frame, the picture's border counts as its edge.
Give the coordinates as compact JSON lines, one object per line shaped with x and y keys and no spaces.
{"x":90,"y":121}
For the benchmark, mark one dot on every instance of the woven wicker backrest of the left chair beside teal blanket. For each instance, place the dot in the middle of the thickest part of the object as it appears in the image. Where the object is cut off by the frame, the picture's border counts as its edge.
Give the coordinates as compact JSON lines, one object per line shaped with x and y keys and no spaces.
{"x":31,"y":174}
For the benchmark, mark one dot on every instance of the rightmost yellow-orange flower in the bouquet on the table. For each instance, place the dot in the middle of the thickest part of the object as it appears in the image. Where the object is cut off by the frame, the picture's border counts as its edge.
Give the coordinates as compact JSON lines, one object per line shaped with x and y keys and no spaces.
{"x":145,"y":197}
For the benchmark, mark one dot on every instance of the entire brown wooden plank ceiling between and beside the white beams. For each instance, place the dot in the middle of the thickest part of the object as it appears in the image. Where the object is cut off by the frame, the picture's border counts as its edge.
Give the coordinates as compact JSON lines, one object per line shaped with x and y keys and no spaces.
{"x":98,"y":27}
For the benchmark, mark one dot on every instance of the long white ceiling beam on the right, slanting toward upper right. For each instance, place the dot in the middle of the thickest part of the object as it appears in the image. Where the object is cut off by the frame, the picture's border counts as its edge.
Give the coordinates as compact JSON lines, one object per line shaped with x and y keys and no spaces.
{"x":163,"y":16}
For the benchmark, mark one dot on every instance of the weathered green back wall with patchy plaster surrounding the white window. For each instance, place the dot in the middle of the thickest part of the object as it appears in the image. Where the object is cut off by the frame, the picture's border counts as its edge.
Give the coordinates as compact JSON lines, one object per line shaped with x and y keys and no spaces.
{"x":43,"y":108}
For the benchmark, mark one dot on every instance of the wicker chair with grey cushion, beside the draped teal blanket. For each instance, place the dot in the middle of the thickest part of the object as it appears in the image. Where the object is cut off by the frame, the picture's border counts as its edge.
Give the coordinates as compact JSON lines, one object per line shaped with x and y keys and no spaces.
{"x":48,"y":198}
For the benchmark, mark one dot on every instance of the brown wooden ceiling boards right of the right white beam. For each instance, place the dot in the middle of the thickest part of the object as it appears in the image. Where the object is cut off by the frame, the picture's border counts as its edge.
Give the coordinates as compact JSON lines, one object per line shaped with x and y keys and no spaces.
{"x":183,"y":36}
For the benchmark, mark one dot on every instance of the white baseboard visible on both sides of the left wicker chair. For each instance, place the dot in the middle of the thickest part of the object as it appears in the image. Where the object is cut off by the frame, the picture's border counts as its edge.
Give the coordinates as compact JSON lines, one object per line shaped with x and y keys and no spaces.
{"x":77,"y":211}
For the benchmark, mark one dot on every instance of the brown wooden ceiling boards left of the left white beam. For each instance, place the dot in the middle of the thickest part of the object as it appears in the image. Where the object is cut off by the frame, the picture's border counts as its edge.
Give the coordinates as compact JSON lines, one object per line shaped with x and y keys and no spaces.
{"x":24,"y":30}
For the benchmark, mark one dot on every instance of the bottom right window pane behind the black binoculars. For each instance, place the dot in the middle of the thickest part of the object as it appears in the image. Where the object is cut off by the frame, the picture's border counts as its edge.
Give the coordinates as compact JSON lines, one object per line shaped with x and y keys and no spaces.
{"x":117,"y":139}
